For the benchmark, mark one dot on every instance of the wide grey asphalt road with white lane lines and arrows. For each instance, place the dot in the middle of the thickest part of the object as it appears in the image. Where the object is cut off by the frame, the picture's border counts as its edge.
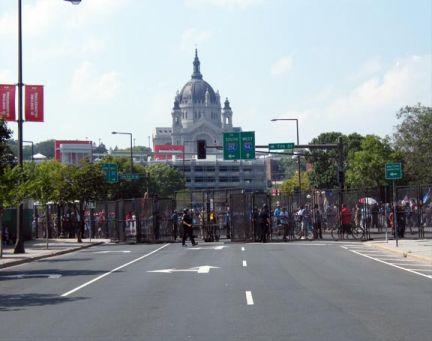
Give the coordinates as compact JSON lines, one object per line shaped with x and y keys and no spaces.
{"x":282,"y":291}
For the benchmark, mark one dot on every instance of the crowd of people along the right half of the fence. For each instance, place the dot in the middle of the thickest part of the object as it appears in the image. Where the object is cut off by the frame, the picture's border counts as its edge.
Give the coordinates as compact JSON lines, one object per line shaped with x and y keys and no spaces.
{"x":313,"y":220}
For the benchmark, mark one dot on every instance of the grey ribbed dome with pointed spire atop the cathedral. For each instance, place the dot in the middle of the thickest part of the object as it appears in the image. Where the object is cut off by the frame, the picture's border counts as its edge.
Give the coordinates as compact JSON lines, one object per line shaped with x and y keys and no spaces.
{"x":197,"y":90}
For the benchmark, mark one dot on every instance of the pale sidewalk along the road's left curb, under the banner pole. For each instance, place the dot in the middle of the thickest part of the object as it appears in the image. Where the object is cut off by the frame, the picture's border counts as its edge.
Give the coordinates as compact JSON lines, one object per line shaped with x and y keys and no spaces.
{"x":36,"y":249}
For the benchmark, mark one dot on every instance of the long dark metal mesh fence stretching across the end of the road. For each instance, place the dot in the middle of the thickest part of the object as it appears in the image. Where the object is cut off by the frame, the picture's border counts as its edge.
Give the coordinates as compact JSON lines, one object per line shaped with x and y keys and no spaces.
{"x":236,"y":215}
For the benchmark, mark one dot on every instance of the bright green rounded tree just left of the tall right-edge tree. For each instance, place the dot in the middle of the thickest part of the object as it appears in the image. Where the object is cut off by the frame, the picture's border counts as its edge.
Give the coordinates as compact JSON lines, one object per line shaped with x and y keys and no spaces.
{"x":365,"y":168}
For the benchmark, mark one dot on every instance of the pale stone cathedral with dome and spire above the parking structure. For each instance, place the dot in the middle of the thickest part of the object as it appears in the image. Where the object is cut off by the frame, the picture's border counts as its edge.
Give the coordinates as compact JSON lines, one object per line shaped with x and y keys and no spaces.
{"x":197,"y":115}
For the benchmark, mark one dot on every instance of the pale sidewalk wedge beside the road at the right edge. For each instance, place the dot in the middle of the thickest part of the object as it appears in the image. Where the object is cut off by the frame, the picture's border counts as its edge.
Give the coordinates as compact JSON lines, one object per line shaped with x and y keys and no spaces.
{"x":419,"y":249}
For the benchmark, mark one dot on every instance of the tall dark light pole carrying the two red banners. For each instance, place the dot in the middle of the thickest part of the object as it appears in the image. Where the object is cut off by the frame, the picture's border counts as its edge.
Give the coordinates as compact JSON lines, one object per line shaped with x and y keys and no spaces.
{"x":19,"y":245}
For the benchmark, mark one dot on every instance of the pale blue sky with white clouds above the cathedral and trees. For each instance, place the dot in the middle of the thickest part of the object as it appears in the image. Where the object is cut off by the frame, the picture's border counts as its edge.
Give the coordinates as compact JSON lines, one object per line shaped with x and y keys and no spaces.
{"x":342,"y":65}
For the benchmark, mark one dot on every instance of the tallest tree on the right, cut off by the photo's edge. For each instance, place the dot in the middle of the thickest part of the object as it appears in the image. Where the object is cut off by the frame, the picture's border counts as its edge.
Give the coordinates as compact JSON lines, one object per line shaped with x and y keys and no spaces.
{"x":413,"y":138}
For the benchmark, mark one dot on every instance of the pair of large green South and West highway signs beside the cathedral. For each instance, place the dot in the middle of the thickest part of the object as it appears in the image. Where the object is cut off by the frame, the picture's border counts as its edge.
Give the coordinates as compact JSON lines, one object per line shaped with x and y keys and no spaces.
{"x":239,"y":146}
